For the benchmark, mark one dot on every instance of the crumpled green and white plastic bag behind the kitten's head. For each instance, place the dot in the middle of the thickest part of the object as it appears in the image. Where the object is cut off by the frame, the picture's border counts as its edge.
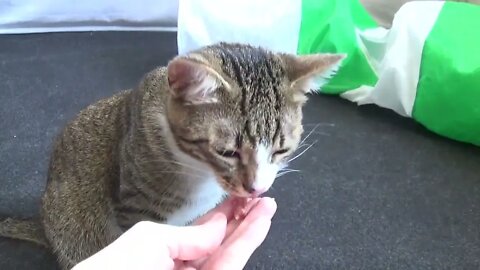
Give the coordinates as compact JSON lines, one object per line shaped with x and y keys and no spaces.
{"x":426,"y":66}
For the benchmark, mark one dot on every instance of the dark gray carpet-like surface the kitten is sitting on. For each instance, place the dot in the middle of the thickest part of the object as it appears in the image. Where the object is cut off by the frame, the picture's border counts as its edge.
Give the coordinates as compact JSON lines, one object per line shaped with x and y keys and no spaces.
{"x":376,"y":191}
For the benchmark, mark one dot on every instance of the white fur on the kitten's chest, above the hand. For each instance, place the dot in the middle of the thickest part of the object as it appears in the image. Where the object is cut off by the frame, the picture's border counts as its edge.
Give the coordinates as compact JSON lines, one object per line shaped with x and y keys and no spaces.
{"x":205,"y":192}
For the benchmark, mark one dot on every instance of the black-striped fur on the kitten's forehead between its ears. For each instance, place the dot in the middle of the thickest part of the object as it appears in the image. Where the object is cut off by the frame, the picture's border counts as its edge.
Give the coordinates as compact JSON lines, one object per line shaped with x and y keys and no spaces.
{"x":258,"y":74}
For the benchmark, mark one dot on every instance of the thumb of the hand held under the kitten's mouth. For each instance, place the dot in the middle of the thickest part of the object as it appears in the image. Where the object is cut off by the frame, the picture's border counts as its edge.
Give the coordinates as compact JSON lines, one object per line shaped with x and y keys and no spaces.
{"x":194,"y":242}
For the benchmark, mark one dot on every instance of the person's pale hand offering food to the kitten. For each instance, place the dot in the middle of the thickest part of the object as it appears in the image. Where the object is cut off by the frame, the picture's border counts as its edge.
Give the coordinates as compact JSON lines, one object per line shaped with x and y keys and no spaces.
{"x":216,"y":241}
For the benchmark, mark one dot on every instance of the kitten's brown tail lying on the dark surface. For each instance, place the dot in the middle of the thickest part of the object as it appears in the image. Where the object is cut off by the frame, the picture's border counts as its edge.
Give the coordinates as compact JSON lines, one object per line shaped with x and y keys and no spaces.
{"x":23,"y":229}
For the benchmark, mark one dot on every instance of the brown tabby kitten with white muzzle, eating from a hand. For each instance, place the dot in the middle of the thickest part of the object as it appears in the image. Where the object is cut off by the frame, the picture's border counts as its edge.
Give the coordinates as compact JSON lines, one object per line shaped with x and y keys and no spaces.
{"x":218,"y":121}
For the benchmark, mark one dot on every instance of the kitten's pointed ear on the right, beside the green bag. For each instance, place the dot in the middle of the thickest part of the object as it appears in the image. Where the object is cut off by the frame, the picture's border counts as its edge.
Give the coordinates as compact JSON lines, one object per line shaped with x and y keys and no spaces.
{"x":308,"y":73}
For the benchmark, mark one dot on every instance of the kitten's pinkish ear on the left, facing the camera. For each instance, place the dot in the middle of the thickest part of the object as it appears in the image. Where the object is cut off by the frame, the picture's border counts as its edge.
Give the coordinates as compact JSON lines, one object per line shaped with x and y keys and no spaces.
{"x":192,"y":81}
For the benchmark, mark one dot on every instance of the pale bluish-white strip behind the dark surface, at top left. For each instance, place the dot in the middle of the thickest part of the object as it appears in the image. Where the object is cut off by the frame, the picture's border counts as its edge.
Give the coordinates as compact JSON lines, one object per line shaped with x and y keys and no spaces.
{"x":30,"y":16}
